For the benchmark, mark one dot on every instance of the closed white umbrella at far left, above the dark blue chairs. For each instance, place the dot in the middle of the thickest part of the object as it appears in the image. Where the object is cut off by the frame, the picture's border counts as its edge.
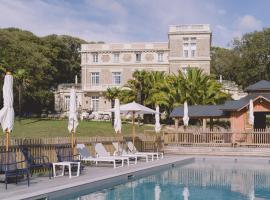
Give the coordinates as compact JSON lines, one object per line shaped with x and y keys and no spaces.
{"x":7,"y":112}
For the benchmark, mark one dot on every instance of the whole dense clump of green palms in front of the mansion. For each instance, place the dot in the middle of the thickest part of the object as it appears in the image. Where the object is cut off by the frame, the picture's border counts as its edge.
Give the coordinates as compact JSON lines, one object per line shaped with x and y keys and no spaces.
{"x":171,"y":90}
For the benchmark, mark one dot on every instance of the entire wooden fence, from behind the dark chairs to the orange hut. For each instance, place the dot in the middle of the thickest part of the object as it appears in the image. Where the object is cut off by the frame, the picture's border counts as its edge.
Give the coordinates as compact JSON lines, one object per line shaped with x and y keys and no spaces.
{"x":186,"y":137}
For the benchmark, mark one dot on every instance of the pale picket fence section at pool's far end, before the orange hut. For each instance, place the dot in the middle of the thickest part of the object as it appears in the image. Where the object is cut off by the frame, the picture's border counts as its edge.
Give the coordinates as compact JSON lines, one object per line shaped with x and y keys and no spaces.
{"x":222,"y":138}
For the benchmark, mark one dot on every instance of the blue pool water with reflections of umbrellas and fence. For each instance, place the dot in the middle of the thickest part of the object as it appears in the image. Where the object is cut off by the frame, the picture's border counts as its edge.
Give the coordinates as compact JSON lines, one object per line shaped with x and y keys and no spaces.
{"x":204,"y":179}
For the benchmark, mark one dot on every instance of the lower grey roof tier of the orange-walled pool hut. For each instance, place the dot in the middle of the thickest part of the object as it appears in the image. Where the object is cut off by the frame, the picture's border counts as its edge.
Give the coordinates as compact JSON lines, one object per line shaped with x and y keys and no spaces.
{"x":241,"y":103}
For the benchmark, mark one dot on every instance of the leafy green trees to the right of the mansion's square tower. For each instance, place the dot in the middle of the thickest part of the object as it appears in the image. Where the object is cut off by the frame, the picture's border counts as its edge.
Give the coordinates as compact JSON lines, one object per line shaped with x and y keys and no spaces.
{"x":247,"y":62}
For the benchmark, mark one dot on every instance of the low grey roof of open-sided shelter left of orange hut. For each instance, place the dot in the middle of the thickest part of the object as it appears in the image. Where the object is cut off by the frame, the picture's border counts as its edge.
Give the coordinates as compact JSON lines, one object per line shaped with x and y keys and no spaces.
{"x":199,"y":111}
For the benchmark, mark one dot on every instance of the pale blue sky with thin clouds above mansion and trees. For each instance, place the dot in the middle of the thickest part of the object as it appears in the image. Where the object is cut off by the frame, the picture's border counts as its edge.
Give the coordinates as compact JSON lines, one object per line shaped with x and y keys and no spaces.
{"x":134,"y":20}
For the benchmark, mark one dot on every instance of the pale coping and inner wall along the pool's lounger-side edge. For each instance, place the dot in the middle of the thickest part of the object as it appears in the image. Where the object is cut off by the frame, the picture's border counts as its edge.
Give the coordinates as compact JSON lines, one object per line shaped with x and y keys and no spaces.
{"x":106,"y":180}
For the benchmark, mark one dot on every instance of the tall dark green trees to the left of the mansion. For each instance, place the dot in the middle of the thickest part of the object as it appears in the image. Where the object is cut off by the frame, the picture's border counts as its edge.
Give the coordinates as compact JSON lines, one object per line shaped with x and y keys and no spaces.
{"x":38,"y":64}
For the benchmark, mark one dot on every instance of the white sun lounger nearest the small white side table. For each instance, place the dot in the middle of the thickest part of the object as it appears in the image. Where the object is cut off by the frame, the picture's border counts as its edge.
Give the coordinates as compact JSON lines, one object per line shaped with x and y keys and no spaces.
{"x":85,"y":155}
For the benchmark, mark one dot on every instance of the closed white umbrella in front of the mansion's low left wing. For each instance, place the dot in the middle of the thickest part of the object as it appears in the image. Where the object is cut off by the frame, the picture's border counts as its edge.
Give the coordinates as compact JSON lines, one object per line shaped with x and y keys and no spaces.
{"x":72,"y":118}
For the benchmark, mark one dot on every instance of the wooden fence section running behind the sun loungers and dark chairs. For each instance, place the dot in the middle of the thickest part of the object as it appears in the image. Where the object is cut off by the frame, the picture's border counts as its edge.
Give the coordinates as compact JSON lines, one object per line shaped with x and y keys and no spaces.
{"x":47,"y":146}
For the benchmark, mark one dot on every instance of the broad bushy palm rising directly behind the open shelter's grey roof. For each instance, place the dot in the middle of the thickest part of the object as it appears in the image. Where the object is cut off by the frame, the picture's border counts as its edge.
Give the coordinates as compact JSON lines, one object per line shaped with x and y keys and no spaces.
{"x":195,"y":87}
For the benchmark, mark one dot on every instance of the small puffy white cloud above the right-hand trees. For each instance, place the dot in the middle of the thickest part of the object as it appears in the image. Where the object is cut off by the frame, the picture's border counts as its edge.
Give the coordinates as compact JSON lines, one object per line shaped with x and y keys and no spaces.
{"x":248,"y":23}
